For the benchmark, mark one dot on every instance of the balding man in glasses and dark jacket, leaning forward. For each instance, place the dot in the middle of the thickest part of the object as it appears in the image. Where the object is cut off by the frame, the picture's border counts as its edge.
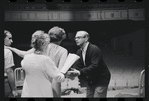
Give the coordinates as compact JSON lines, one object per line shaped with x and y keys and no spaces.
{"x":91,"y":67}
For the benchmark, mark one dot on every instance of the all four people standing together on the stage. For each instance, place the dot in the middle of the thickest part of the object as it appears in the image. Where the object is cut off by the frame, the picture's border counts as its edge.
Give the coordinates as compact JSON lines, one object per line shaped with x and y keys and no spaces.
{"x":43,"y":62}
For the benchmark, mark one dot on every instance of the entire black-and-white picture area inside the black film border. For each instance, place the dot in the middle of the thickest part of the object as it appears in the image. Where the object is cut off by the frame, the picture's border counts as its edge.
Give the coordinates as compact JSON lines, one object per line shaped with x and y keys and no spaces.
{"x":80,"y":50}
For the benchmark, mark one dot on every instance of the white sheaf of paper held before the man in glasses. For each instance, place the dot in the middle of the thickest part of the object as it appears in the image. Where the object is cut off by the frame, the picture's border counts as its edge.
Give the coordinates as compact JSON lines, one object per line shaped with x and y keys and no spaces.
{"x":71,"y":59}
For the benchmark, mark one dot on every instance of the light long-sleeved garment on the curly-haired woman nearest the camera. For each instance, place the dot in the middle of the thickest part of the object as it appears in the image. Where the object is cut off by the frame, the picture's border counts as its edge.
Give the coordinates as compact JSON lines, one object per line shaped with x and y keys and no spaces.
{"x":40,"y":70}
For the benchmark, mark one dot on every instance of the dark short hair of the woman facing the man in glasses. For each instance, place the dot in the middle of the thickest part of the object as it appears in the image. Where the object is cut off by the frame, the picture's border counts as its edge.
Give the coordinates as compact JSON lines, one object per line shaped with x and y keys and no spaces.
{"x":56,"y":34}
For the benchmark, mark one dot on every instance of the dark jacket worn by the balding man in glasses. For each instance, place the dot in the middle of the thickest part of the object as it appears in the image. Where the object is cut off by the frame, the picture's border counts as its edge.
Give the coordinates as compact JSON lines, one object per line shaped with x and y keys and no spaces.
{"x":95,"y":71}
